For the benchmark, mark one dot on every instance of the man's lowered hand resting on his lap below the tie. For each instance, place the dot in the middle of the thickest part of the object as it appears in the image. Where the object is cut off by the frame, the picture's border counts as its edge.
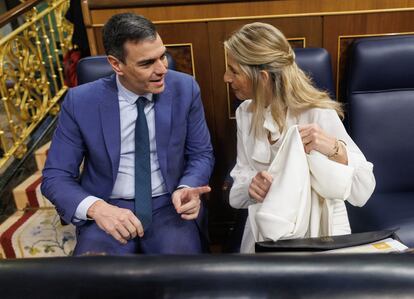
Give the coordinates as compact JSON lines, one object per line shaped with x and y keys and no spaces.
{"x":120,"y":223}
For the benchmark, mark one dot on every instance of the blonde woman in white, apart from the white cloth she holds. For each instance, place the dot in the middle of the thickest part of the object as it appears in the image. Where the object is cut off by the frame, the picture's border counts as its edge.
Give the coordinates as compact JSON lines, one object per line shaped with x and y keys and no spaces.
{"x":261,"y":69}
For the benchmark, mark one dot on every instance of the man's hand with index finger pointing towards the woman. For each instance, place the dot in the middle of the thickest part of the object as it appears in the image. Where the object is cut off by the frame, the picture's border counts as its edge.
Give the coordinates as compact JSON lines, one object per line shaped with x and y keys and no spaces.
{"x":187,"y":201}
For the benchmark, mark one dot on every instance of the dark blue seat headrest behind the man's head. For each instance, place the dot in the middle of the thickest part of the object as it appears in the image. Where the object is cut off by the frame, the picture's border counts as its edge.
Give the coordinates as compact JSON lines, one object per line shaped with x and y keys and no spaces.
{"x":95,"y":67}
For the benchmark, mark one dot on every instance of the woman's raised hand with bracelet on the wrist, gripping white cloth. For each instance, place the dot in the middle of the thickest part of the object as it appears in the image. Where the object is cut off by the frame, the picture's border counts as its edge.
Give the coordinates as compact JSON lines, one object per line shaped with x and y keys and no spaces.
{"x":314,"y":138}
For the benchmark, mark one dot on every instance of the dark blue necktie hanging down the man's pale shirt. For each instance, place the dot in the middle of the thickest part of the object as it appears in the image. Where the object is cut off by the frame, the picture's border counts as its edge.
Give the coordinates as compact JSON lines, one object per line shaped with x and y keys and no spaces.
{"x":143,"y":190}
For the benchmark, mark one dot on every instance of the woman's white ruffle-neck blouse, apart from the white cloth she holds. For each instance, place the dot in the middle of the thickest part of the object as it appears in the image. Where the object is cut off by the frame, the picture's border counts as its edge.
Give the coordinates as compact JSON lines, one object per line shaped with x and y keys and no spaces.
{"x":256,"y":154}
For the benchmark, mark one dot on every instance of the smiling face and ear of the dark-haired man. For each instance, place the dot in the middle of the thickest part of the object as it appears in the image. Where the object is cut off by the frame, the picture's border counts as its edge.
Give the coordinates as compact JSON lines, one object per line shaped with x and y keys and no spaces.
{"x":144,"y":68}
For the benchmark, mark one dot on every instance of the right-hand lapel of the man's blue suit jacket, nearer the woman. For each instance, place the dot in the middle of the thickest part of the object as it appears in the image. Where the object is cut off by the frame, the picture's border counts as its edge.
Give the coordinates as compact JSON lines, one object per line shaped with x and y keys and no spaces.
{"x":163,"y":111}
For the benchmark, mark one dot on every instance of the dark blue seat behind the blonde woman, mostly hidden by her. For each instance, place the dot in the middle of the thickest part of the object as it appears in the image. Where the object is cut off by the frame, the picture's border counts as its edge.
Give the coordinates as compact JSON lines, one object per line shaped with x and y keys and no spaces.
{"x":316,"y":63}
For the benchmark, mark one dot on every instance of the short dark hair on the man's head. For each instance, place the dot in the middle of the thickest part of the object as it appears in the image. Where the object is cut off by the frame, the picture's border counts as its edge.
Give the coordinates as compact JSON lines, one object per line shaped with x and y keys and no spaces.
{"x":125,"y":27}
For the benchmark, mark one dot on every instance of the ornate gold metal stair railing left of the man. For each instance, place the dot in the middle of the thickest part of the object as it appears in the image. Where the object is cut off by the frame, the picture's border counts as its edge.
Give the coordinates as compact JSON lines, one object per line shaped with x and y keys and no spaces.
{"x":31,"y":73}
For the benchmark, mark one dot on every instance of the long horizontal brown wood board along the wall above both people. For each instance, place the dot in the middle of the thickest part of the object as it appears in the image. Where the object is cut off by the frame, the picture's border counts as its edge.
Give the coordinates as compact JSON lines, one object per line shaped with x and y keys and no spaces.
{"x":241,"y":9}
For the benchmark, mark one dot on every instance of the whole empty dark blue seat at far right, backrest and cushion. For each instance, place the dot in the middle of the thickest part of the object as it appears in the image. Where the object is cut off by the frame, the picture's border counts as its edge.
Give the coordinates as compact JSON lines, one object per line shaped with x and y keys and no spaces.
{"x":380,"y":94}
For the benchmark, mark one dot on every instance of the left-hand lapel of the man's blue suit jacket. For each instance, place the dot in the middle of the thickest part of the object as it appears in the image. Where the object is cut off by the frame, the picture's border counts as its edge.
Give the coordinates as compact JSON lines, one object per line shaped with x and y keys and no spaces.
{"x":110,"y":121}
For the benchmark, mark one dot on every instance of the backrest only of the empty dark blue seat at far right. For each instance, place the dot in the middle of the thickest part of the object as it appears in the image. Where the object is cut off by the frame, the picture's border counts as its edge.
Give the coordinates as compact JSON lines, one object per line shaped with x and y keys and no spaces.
{"x":380,"y":95}
